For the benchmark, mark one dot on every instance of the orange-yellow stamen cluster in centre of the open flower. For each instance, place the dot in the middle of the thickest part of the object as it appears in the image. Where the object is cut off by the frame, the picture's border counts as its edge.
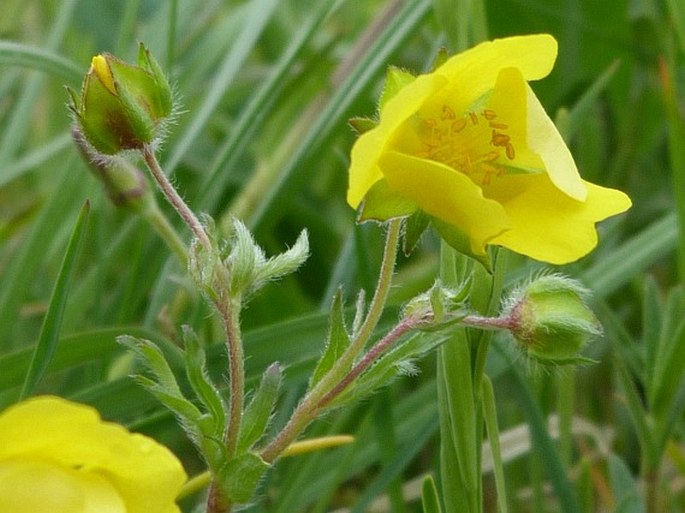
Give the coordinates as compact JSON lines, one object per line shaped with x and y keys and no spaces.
{"x":475,"y":143}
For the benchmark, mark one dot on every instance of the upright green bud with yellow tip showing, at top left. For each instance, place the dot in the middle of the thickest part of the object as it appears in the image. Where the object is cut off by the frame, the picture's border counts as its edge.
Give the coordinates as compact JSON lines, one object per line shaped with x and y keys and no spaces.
{"x":121,"y":106}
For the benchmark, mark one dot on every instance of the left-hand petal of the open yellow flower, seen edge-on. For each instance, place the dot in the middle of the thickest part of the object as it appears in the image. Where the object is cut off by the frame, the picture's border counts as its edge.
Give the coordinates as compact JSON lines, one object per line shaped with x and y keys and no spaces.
{"x":364,"y":170}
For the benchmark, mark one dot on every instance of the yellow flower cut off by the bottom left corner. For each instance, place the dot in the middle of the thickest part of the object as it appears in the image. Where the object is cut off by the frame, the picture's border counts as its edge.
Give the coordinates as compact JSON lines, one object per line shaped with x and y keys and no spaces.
{"x":60,"y":457}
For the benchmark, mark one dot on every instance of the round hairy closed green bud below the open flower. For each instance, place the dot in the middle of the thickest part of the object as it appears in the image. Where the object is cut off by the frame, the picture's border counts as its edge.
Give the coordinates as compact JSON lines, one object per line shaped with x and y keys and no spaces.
{"x":551,"y":321}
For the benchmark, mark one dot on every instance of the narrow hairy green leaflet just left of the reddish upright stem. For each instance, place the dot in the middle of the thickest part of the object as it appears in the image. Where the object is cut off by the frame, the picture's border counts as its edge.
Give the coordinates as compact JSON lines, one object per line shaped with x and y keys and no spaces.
{"x":198,"y":377}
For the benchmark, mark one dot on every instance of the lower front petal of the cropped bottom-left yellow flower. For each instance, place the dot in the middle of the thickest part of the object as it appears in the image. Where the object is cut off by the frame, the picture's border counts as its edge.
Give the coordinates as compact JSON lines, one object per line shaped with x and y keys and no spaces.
{"x":28,"y":486}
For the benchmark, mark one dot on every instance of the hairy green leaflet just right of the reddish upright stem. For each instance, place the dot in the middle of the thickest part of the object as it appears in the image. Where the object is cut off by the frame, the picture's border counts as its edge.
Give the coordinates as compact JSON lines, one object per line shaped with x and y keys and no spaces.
{"x":258,"y":413}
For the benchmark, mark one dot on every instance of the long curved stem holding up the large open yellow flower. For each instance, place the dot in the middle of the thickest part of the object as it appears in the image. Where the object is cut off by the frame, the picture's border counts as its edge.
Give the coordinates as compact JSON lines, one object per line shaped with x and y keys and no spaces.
{"x":310,"y":406}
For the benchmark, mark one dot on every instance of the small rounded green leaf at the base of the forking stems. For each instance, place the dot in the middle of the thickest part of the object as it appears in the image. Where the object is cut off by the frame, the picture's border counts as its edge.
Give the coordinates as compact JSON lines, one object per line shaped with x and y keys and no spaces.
{"x":239,"y":477}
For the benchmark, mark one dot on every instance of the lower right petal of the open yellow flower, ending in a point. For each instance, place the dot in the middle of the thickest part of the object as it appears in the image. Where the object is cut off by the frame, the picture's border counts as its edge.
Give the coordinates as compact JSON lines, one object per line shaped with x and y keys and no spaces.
{"x":548,"y":225}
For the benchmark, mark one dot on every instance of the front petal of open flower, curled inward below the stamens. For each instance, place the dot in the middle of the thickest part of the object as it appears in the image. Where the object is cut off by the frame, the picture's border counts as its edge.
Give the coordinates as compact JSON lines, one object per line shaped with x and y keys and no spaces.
{"x":447,"y":194}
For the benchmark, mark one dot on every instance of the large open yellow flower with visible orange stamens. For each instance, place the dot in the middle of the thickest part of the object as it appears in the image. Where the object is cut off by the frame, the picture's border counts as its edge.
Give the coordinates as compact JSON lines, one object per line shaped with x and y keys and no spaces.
{"x":471,"y":146}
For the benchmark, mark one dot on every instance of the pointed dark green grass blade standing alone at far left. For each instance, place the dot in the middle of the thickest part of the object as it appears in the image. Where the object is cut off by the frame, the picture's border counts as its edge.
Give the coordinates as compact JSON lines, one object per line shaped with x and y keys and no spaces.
{"x":52,"y":323}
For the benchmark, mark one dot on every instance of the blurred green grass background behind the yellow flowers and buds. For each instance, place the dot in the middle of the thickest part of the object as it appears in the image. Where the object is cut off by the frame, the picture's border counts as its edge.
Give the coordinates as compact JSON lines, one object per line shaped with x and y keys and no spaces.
{"x":266,"y":87}
